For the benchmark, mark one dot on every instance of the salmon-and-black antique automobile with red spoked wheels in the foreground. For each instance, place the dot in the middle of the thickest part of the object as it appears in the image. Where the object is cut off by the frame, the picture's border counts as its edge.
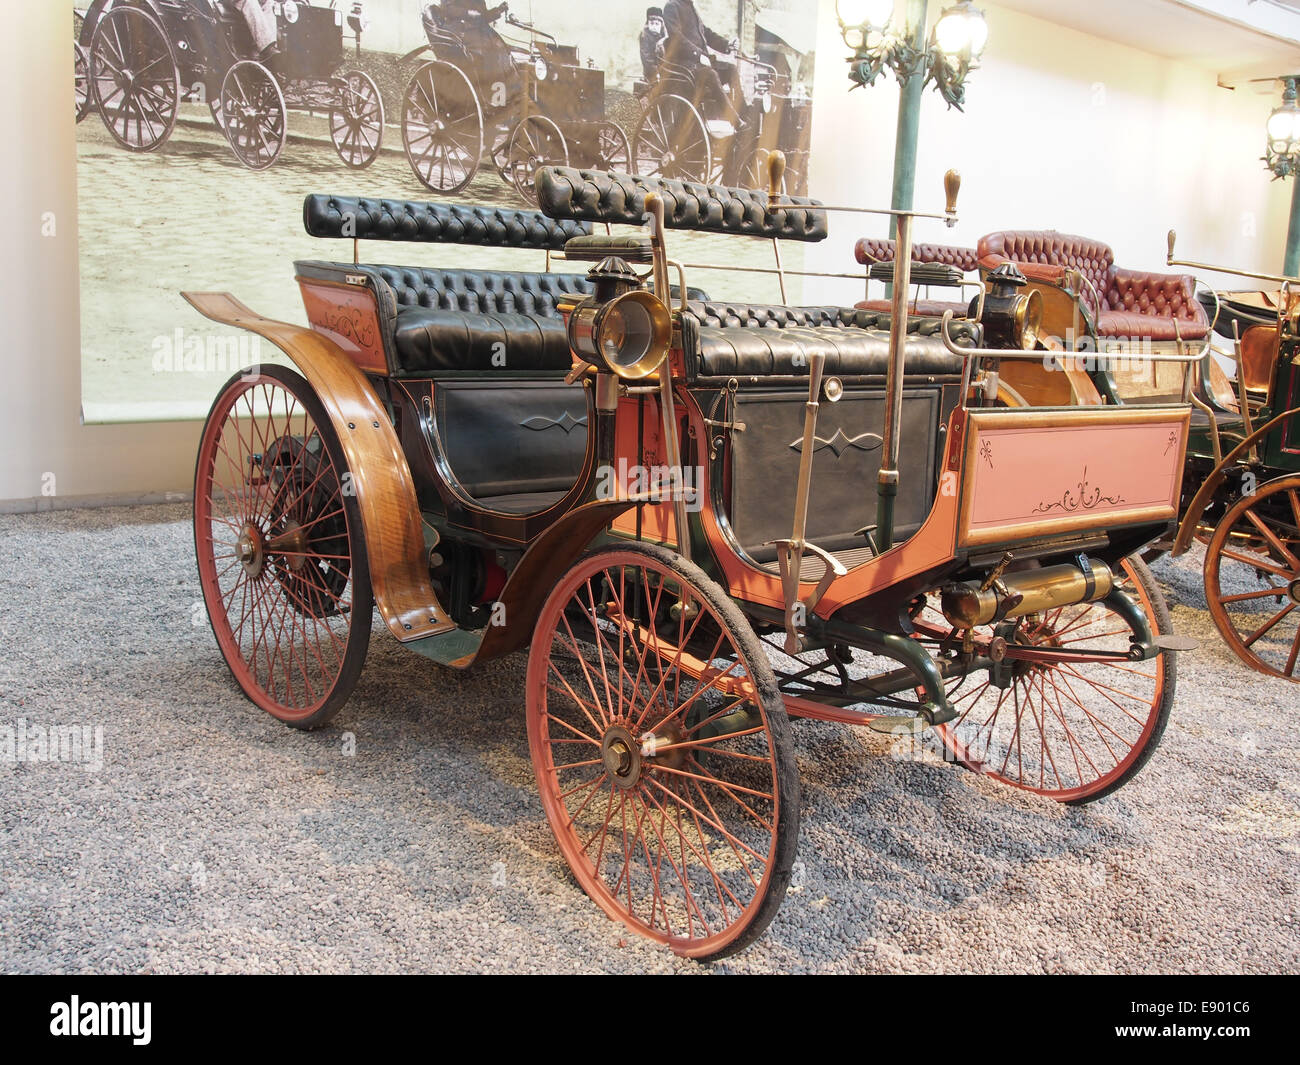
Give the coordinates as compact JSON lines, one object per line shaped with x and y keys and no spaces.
{"x":699,"y":517}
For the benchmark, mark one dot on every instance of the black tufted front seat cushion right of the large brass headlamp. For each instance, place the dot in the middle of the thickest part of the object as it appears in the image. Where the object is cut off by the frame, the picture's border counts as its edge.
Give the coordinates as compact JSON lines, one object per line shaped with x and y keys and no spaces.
{"x":755,"y":340}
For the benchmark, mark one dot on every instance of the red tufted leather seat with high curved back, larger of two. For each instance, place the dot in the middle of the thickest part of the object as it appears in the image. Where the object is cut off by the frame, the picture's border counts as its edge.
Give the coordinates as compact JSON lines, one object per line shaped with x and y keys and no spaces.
{"x":1125,"y":304}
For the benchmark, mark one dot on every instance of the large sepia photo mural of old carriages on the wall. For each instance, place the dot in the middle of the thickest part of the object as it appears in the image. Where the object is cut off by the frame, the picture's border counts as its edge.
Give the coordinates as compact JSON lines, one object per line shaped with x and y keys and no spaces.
{"x":205,"y":123}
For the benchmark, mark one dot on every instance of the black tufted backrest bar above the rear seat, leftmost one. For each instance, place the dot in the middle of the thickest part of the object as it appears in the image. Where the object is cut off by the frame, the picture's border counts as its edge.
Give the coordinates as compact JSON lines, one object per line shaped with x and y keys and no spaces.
{"x":436,"y":223}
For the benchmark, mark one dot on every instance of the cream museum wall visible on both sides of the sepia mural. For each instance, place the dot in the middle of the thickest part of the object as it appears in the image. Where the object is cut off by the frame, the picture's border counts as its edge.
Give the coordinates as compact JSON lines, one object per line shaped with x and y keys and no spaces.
{"x":1063,"y":131}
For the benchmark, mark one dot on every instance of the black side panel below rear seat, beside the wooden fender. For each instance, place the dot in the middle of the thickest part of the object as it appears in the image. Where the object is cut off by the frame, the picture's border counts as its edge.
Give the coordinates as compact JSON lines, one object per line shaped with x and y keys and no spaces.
{"x":510,"y":439}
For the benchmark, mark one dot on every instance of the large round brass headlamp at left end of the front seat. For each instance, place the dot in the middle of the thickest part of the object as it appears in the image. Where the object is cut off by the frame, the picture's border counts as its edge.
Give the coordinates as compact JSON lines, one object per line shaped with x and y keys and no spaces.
{"x":622,"y":327}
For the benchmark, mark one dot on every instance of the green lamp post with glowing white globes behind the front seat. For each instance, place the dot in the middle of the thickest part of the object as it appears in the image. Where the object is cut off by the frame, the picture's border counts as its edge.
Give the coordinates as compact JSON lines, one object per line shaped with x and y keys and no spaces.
{"x":954,"y":50}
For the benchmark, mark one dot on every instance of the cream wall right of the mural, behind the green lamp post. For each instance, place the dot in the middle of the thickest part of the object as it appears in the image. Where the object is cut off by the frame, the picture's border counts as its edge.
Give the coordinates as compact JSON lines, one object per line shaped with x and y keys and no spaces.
{"x":1065,"y":132}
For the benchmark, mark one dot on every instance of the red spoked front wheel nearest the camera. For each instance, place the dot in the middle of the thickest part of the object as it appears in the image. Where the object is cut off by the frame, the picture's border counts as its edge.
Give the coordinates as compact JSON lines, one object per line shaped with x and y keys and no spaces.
{"x":662,"y":751}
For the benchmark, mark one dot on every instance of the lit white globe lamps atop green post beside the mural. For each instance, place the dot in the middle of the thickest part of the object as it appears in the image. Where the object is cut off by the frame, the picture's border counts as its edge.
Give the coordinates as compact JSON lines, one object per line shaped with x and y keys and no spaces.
{"x":878,"y":45}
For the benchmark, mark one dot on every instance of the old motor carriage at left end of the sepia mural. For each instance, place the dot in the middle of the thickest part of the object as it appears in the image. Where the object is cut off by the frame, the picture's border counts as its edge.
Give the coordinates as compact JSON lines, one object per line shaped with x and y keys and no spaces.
{"x":138,"y":60}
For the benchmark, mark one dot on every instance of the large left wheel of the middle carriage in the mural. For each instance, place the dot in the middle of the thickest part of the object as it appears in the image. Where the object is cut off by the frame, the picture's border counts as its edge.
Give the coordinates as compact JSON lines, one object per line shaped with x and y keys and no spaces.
{"x":432,"y":136}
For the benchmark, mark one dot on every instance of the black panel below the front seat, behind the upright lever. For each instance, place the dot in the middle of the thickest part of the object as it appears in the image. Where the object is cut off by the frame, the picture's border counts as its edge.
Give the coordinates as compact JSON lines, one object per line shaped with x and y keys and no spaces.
{"x":848,"y":451}
